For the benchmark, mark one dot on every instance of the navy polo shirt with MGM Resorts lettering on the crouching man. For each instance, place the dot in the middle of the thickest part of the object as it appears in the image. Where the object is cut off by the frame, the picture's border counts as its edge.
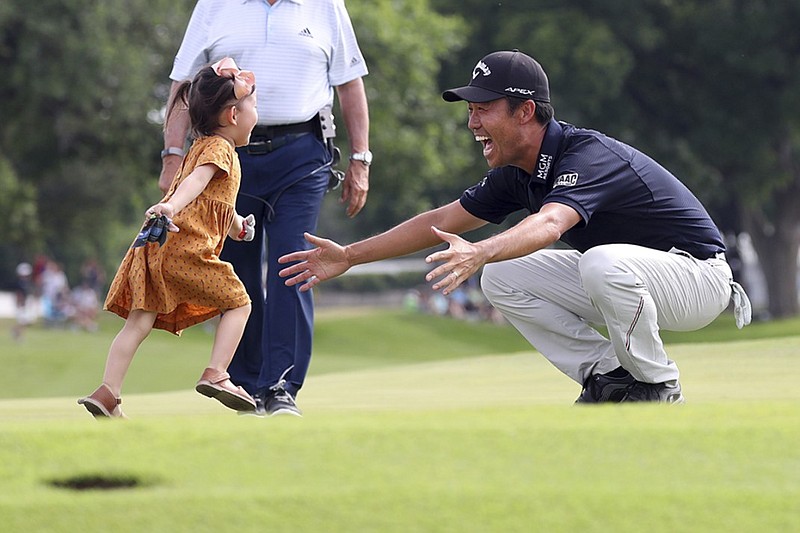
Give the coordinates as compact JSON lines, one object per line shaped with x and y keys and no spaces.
{"x":622,"y":195}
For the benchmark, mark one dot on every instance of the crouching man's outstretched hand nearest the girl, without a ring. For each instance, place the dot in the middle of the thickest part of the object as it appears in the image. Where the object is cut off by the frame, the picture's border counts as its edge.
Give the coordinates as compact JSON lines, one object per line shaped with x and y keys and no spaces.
{"x":327,"y":260}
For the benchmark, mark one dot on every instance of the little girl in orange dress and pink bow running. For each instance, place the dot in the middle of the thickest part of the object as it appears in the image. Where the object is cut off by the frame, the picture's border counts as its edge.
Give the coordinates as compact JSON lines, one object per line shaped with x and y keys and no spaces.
{"x":183,"y":282}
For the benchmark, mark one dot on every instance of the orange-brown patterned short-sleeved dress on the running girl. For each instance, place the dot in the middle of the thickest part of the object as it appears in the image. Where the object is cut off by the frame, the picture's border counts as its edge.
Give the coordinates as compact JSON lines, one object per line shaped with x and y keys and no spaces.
{"x":184,"y":281}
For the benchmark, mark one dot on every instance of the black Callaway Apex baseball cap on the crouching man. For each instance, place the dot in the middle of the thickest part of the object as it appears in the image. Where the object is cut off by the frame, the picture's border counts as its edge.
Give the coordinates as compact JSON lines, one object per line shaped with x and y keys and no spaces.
{"x":505,"y":73}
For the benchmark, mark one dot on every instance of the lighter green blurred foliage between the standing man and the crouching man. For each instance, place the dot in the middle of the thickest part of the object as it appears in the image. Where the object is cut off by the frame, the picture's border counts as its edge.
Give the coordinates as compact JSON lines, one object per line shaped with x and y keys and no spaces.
{"x":418,"y":141}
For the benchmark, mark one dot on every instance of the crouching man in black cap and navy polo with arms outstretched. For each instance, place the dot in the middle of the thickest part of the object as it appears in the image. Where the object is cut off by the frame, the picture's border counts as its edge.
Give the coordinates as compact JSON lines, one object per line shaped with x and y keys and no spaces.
{"x":645,"y":254}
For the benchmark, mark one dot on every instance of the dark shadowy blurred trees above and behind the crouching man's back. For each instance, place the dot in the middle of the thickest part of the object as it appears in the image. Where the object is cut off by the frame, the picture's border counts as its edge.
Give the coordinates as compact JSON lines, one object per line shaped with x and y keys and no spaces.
{"x":711,"y":88}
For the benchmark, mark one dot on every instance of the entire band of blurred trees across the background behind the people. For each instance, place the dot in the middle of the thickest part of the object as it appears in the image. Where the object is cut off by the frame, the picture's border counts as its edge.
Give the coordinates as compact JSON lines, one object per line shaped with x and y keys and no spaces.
{"x":711,"y":88}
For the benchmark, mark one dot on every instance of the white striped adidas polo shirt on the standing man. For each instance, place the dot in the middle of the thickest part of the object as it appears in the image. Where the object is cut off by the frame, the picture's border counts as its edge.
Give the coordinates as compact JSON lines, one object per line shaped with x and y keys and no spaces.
{"x":299,"y":51}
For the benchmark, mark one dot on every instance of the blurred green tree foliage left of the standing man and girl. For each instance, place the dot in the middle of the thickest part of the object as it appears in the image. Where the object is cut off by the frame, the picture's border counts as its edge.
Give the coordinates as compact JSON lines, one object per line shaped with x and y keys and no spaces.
{"x":82,"y":85}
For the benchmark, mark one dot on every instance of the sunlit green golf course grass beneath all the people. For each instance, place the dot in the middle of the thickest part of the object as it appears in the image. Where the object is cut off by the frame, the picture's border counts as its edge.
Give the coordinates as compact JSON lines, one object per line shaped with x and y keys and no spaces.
{"x":455,"y":437}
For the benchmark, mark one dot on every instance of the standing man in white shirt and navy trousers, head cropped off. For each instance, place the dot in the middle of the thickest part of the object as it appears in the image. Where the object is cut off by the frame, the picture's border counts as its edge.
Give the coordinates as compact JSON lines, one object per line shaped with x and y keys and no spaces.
{"x":301,"y":53}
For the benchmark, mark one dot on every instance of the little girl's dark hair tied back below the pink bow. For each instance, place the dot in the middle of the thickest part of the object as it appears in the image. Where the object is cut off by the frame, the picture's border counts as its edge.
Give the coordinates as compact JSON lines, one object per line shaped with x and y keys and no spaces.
{"x":205,"y":96}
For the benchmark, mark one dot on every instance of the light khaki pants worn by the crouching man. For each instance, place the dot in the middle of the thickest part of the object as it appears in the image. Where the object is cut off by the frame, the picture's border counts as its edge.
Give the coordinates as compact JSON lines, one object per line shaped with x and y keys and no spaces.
{"x":553,"y":296}
